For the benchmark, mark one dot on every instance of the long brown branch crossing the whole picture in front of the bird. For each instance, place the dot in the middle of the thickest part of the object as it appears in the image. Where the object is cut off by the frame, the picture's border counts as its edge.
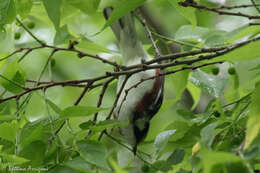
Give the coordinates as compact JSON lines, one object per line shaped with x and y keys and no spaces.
{"x":144,"y":67}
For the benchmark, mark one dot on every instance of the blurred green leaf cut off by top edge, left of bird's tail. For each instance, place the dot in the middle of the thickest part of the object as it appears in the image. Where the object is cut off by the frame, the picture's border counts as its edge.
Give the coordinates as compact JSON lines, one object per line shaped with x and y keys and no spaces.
{"x":86,"y":6}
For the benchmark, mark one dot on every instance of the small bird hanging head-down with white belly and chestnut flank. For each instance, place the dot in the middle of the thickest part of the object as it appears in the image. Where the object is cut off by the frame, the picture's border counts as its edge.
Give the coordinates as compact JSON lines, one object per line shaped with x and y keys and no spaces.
{"x":141,"y":103}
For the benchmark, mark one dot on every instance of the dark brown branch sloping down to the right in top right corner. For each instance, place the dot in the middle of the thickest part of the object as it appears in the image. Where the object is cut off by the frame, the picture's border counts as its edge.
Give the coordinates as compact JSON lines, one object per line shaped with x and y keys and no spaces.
{"x":217,"y":10}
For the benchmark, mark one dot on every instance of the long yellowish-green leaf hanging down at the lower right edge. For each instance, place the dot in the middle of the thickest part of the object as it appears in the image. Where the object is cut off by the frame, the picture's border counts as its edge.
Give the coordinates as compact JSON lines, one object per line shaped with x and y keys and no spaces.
{"x":253,"y":123}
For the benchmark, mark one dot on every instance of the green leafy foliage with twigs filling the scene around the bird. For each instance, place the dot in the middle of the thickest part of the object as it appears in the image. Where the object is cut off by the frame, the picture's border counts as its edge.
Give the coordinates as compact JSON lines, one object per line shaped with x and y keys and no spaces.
{"x":58,"y":69}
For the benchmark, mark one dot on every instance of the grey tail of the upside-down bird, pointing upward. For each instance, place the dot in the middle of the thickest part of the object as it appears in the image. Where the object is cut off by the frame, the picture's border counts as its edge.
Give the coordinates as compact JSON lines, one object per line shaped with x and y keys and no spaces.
{"x":123,"y":28}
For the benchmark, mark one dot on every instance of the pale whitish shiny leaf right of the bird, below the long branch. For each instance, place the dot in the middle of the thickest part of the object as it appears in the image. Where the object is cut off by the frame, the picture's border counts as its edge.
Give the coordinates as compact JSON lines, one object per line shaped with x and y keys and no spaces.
{"x":211,"y":84}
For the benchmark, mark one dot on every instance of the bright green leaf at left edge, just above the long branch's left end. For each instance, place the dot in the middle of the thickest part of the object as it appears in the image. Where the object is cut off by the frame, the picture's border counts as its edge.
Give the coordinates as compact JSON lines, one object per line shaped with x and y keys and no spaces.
{"x":13,"y":77}
